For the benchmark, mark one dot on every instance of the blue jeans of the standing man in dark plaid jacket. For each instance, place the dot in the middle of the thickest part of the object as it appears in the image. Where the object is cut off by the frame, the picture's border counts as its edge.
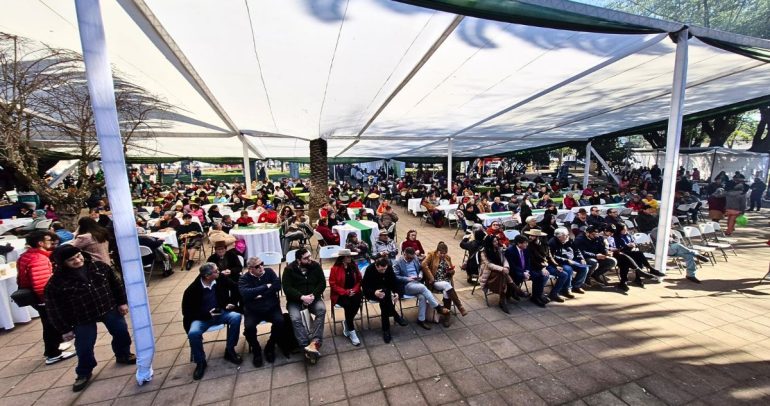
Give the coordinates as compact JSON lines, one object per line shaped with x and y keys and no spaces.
{"x":85,"y":339}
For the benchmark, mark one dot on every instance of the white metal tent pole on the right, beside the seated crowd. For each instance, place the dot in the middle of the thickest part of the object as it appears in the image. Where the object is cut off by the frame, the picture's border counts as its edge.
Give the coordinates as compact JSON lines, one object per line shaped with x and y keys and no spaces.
{"x":673,"y":139}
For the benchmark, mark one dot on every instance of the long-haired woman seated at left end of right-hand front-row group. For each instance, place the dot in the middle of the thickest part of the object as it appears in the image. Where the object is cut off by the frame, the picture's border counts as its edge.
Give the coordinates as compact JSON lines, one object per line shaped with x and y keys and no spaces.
{"x":495,"y":273}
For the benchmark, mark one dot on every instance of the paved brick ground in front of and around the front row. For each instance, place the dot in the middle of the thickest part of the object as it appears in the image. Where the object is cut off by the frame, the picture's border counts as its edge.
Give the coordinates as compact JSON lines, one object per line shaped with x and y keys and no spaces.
{"x":671,"y":343}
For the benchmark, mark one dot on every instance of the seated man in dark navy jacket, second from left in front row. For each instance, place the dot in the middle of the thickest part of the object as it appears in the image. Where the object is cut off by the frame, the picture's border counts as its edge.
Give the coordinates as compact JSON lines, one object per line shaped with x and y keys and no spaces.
{"x":259,"y":289}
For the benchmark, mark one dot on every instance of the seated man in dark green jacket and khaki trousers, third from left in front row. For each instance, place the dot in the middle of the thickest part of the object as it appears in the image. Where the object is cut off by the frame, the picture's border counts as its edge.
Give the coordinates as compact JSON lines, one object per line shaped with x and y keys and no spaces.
{"x":303,"y":284}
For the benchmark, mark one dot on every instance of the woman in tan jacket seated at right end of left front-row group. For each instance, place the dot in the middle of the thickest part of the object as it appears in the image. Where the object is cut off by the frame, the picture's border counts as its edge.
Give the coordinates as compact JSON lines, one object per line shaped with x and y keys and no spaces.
{"x":439,"y":271}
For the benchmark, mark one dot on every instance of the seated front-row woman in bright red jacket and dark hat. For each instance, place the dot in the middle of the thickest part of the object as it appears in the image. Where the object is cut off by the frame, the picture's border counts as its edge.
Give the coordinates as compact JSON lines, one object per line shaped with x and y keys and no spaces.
{"x":345,"y":285}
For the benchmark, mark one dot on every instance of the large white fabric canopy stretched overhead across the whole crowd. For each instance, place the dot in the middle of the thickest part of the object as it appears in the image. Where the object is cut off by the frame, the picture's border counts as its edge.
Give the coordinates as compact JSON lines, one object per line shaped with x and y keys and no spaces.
{"x":380,"y":79}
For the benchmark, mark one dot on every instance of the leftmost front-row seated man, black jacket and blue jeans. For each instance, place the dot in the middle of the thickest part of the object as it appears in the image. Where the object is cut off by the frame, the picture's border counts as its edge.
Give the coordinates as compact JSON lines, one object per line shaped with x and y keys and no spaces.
{"x":210,"y":300}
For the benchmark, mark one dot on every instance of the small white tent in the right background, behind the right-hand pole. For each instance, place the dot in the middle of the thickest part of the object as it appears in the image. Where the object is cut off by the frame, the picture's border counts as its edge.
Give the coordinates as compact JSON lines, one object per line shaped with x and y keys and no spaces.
{"x":710,"y":161}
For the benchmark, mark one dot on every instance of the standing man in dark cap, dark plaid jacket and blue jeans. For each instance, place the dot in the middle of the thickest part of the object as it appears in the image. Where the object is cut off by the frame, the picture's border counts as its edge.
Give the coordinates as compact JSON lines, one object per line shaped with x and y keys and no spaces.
{"x":79,"y":294}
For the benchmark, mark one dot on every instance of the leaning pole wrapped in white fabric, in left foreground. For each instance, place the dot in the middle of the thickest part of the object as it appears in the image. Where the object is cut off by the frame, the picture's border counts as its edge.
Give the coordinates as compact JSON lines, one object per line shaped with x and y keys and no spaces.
{"x":101,"y":88}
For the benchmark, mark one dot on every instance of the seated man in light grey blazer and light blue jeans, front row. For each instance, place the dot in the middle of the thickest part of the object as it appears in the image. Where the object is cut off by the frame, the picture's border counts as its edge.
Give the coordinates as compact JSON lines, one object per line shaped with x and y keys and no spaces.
{"x":407,"y":270}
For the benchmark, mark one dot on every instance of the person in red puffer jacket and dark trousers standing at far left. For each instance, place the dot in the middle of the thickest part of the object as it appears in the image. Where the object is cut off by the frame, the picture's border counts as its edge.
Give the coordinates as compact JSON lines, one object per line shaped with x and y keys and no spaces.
{"x":35,"y":269}
